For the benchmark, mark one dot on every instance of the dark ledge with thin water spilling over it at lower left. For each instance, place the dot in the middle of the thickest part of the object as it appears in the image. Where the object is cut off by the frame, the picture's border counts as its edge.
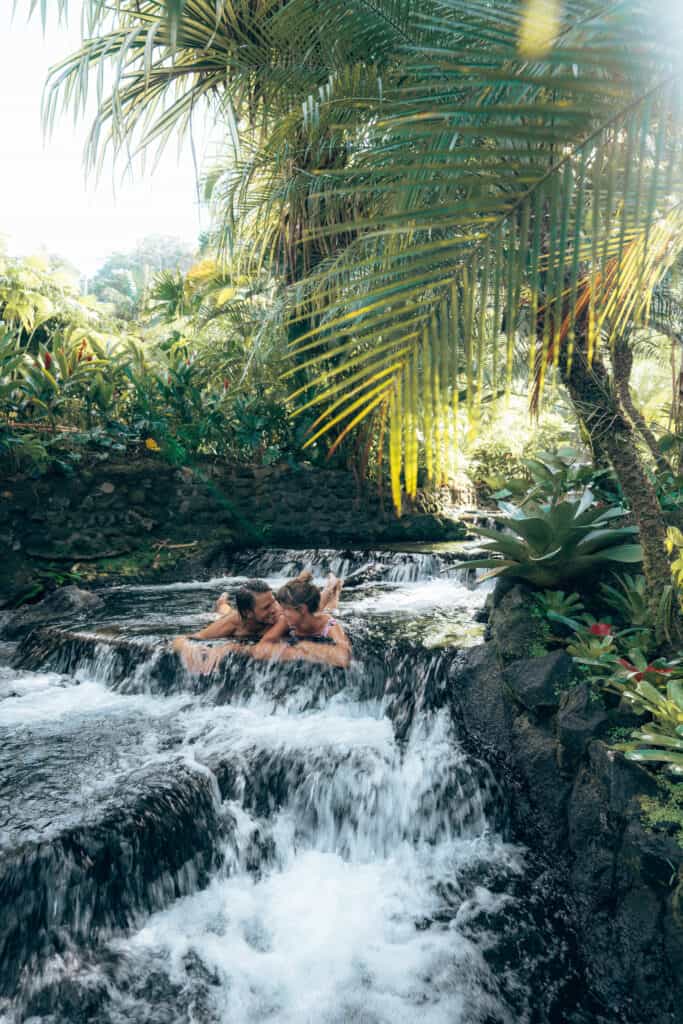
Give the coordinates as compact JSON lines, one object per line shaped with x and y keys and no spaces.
{"x":158,"y":841}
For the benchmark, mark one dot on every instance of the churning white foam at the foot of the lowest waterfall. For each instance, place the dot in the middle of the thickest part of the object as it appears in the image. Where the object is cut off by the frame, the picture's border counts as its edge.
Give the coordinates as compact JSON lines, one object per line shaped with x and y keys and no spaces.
{"x":323,"y":941}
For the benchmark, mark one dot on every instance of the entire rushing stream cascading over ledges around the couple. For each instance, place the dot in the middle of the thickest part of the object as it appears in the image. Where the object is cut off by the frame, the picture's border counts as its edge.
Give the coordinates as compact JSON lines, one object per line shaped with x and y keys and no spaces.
{"x":288,"y":844}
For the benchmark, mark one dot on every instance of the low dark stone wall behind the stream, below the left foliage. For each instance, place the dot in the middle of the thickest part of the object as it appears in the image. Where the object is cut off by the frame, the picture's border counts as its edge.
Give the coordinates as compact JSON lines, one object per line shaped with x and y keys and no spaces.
{"x":116,"y":517}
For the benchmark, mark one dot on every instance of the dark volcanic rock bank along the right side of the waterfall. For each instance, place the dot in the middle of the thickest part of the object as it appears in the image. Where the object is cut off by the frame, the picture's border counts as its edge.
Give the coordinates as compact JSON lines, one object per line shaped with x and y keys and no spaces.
{"x":579,"y":802}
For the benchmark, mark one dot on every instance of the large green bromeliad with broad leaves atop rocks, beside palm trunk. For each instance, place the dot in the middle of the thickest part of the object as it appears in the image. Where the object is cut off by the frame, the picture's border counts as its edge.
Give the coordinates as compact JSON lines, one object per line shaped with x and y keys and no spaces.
{"x":548,"y":545}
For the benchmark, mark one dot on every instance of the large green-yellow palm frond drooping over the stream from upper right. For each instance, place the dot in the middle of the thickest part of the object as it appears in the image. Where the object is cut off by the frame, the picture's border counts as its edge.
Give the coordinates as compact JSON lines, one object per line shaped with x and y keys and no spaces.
{"x":496,"y":186}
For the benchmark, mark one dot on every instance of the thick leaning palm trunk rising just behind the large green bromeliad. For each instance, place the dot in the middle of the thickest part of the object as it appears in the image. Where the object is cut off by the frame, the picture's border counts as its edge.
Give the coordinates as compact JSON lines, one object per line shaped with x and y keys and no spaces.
{"x":613,"y":437}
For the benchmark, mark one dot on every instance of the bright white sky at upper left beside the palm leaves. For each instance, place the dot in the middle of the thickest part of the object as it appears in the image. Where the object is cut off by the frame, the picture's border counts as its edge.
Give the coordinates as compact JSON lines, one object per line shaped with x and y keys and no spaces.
{"x":47,"y":203}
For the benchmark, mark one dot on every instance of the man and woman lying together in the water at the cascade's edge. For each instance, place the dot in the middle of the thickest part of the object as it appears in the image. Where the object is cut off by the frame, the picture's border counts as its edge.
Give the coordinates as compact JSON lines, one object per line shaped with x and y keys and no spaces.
{"x":295,"y":624}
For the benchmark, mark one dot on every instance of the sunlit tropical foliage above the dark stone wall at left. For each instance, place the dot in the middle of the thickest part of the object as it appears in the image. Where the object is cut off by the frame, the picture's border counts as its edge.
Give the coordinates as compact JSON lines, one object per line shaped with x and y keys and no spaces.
{"x":189,"y":378}
